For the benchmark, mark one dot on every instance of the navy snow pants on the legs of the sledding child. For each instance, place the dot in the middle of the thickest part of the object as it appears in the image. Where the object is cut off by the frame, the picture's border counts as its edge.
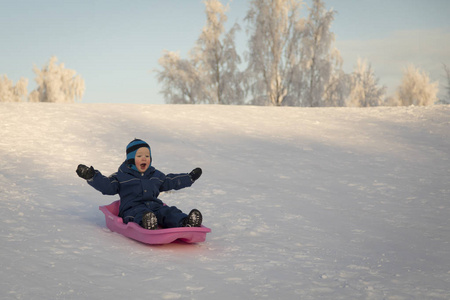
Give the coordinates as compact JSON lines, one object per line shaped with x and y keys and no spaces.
{"x":168,"y":216}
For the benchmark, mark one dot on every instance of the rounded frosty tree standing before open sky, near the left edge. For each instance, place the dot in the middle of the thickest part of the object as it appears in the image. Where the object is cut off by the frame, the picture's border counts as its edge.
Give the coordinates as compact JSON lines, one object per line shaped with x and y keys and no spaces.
{"x":57,"y":84}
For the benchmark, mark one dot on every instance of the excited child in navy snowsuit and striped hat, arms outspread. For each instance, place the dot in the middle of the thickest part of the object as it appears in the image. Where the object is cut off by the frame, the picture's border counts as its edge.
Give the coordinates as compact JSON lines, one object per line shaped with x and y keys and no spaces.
{"x":139,"y":184}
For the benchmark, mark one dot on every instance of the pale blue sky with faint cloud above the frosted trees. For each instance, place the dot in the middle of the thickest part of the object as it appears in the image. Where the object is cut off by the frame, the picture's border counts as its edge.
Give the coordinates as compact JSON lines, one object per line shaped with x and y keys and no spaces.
{"x":114,"y":45}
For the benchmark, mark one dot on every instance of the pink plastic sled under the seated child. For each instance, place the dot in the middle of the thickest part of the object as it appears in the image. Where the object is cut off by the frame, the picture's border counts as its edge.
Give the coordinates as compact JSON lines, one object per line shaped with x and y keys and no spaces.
{"x":153,"y":237}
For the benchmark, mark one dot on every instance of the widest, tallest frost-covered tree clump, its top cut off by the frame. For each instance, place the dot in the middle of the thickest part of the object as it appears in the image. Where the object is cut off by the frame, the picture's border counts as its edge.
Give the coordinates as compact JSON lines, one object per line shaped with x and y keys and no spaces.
{"x":292,"y":60}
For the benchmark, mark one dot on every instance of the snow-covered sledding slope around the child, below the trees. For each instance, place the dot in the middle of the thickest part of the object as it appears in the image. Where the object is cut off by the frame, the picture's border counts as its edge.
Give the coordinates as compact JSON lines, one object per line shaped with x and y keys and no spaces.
{"x":303,"y":203}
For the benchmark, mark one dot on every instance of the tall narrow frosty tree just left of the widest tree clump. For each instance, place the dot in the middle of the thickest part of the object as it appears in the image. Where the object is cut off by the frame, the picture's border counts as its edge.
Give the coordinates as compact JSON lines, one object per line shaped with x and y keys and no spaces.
{"x":215,"y":54}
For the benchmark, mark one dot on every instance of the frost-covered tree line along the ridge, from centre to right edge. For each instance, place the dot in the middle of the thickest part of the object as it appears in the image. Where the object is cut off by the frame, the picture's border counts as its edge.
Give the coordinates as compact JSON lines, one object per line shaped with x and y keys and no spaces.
{"x":290,"y":61}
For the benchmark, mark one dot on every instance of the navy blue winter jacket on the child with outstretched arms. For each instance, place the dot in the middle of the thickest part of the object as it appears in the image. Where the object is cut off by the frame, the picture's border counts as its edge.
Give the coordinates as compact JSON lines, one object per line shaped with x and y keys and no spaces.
{"x":135,"y":188}
